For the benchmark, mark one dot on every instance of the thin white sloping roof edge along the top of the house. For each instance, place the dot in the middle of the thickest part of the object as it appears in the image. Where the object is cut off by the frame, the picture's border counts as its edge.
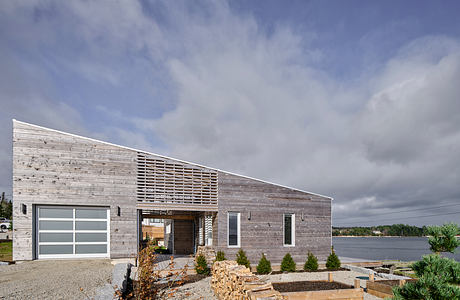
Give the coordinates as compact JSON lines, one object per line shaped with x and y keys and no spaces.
{"x":167,"y":157}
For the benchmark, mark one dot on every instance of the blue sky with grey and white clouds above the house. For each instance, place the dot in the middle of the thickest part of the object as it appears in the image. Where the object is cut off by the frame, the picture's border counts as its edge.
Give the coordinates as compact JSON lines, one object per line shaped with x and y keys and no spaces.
{"x":359,"y":100}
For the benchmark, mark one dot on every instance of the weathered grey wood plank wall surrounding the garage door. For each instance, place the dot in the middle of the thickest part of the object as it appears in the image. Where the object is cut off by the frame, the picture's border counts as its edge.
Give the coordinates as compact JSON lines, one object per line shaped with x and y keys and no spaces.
{"x":60,"y":169}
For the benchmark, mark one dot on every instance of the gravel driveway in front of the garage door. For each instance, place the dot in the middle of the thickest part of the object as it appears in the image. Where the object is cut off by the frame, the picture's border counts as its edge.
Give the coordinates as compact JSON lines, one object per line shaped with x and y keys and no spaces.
{"x":54,"y":279}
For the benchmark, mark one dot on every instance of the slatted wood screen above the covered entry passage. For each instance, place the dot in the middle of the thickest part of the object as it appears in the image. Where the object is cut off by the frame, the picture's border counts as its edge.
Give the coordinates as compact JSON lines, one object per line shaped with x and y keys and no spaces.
{"x":163,"y":181}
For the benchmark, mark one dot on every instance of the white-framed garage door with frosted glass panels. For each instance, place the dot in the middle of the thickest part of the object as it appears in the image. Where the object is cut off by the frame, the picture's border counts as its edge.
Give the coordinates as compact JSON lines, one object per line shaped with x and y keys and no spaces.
{"x":72,"y":232}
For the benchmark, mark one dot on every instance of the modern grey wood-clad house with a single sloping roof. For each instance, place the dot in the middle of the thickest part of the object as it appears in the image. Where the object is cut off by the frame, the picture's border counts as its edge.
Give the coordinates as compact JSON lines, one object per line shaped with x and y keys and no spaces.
{"x":77,"y":197}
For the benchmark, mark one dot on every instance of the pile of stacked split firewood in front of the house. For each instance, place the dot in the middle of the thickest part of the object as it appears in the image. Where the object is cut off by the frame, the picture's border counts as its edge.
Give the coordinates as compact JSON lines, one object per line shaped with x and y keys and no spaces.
{"x":232,"y":281}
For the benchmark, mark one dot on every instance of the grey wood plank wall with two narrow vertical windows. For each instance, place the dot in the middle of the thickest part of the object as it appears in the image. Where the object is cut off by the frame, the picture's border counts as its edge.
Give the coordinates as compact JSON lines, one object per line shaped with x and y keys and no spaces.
{"x":263,"y":233}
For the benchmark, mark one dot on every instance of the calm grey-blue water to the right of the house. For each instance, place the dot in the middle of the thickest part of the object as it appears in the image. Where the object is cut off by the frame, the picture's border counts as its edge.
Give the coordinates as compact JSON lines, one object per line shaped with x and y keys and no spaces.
{"x":384,"y":248}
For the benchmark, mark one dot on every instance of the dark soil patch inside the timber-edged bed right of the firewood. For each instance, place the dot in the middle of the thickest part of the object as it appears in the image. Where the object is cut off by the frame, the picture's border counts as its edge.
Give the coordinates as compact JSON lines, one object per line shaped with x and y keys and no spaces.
{"x":304,"y":286}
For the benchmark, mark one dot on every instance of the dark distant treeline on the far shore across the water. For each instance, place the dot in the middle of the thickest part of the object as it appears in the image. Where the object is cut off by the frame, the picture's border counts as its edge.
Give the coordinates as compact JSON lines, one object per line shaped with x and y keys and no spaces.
{"x":383,"y":230}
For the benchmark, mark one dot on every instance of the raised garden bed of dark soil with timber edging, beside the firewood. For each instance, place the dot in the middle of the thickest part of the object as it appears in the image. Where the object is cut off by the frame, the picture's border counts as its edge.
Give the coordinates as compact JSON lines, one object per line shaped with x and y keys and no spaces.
{"x":301,"y":290}
